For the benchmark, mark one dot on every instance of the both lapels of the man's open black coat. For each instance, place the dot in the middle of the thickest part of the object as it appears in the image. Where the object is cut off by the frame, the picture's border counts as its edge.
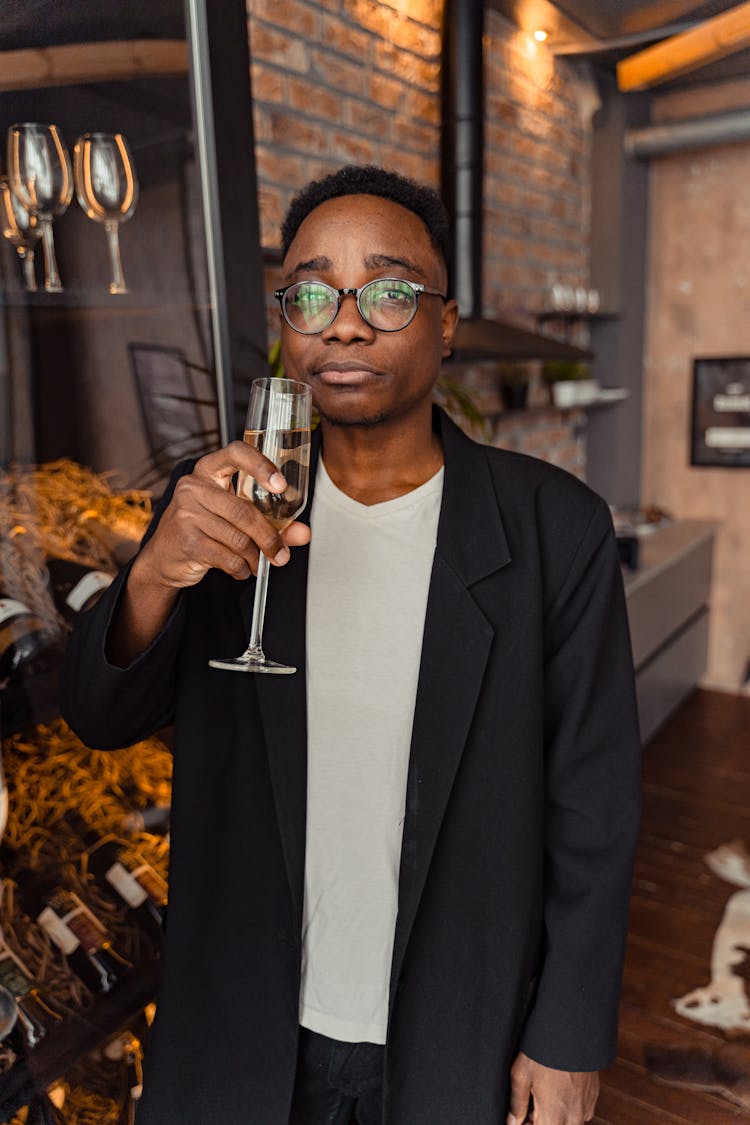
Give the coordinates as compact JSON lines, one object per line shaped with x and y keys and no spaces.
{"x":472,"y":545}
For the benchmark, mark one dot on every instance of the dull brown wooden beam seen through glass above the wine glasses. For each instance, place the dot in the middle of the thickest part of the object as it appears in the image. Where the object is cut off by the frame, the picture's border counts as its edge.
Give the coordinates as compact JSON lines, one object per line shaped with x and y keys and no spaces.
{"x":76,"y":64}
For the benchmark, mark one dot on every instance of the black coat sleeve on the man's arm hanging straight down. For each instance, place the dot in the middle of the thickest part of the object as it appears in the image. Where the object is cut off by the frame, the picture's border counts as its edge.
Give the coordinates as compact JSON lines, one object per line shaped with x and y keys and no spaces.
{"x":592,"y":809}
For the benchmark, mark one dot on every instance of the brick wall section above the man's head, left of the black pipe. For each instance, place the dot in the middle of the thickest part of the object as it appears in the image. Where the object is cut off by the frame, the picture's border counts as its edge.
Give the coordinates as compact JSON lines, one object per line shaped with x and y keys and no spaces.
{"x":333,"y":84}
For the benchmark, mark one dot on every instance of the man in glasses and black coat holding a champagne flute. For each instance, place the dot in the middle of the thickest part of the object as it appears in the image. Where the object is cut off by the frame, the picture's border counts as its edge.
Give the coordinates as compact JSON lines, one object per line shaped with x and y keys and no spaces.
{"x":400,"y":878}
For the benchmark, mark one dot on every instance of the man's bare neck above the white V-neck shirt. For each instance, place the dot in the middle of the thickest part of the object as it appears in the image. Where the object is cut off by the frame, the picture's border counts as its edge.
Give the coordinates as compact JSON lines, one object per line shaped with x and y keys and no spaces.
{"x":381,"y":463}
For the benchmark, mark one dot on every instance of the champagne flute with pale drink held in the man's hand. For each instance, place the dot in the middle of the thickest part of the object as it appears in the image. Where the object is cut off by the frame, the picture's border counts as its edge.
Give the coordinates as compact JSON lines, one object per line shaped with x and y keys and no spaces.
{"x":279,"y":426}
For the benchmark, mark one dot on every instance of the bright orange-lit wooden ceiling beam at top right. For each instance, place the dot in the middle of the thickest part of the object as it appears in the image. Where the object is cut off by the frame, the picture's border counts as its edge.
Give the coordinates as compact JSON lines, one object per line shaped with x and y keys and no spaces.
{"x":712,"y":40}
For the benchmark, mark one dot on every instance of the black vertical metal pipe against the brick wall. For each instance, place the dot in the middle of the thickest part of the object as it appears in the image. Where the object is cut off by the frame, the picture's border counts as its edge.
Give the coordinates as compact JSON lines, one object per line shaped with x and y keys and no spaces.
{"x":463,"y":95}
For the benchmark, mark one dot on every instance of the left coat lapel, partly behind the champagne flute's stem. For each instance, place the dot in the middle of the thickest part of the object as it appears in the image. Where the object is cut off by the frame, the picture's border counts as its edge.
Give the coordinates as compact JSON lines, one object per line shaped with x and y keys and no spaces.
{"x":284,"y":699}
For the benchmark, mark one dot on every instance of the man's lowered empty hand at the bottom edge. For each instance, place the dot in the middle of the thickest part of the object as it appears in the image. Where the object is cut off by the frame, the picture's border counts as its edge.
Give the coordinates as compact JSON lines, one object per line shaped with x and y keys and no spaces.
{"x":561,"y":1097}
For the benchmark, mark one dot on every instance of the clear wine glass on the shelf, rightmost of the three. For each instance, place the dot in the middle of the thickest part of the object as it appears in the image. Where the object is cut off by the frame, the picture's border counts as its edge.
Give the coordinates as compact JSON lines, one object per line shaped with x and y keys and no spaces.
{"x":107,"y":190}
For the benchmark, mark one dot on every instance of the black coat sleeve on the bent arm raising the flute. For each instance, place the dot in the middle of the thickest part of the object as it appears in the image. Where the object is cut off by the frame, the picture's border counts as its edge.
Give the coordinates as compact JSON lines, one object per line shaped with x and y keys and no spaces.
{"x":110,"y":707}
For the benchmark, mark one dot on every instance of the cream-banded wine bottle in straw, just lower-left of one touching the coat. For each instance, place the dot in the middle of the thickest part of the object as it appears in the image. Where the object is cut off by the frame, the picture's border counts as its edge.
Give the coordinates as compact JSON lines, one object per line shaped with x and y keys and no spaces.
{"x":76,"y":931}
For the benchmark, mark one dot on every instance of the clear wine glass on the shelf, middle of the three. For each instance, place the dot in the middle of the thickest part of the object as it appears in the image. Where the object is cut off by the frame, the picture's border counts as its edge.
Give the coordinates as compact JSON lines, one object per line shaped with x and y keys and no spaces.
{"x":40,"y":176}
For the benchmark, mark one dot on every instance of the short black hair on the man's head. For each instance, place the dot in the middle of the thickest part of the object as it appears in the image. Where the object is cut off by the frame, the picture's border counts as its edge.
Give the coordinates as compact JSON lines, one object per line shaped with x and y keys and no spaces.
{"x":371,"y":181}
